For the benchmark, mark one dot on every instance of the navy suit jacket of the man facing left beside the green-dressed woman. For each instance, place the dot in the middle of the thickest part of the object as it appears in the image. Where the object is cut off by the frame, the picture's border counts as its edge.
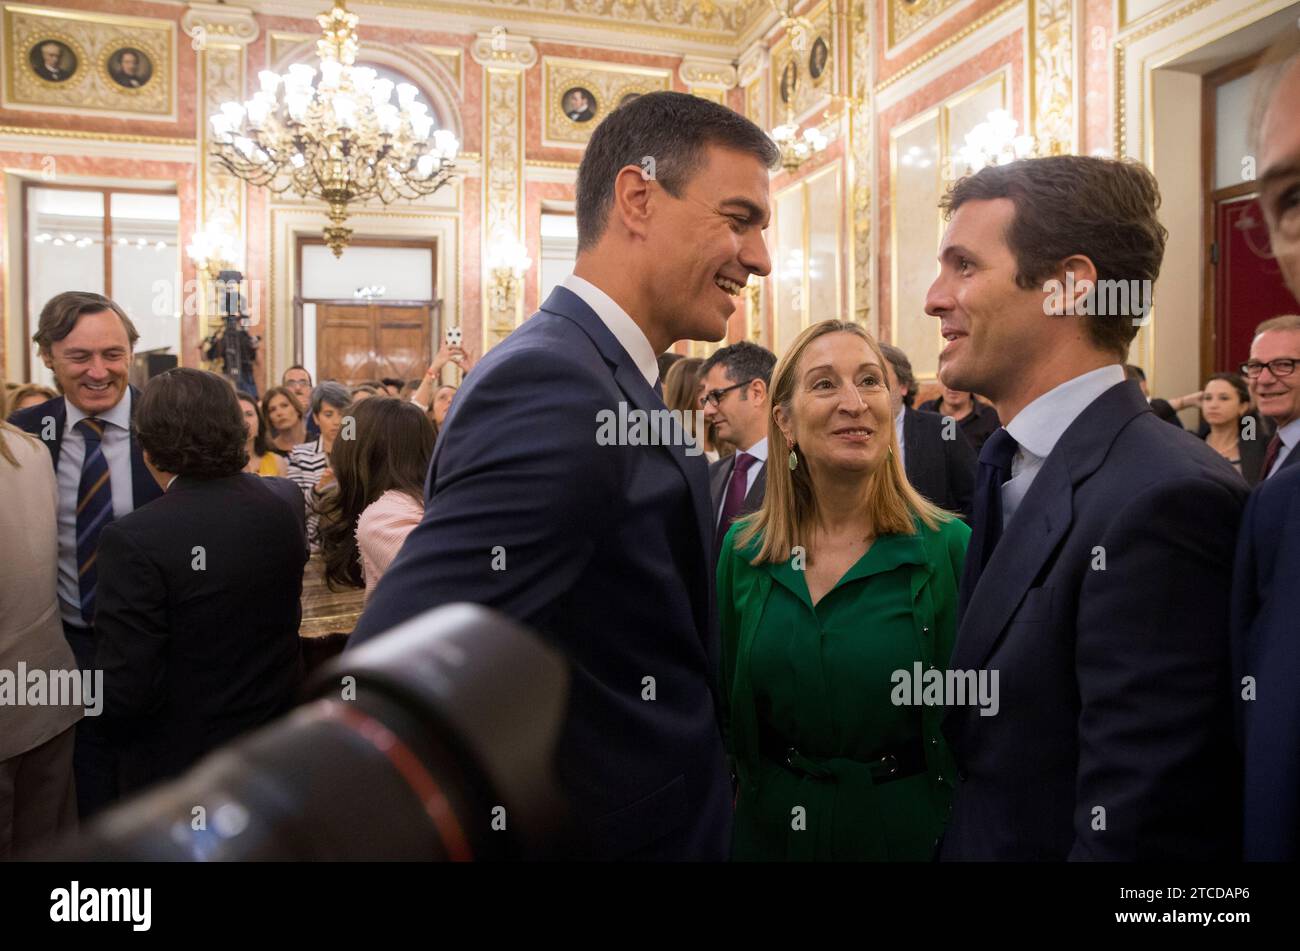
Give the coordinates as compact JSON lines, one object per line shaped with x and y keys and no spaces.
{"x":1104,"y":611}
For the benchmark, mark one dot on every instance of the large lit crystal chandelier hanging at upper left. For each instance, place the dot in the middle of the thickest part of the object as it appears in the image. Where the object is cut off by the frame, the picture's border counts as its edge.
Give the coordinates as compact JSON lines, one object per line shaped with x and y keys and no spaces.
{"x":340,"y":141}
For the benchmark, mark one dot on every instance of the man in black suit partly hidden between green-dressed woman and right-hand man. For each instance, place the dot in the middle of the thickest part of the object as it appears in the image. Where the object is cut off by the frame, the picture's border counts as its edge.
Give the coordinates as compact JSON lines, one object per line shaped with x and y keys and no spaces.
{"x":938,"y":459}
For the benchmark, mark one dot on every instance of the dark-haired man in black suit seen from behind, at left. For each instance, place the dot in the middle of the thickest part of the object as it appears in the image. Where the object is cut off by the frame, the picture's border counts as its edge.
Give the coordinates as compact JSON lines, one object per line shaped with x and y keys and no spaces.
{"x":200,"y":592}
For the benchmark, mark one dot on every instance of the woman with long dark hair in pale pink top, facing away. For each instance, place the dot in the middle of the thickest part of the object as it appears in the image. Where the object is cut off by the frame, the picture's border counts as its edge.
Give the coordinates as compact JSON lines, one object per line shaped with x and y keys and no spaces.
{"x":380,"y":498}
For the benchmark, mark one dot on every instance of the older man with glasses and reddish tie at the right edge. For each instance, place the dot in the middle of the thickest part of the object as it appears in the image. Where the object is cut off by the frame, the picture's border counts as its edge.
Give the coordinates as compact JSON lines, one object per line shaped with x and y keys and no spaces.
{"x":1276,"y":388}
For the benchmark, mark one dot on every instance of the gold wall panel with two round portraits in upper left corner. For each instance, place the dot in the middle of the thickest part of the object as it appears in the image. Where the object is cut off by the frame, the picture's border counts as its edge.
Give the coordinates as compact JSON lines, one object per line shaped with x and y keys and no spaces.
{"x":73,"y":60}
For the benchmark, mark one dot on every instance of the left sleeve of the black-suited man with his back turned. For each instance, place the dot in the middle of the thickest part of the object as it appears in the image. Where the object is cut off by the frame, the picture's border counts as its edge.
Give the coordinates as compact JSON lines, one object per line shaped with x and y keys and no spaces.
{"x":132,"y":627}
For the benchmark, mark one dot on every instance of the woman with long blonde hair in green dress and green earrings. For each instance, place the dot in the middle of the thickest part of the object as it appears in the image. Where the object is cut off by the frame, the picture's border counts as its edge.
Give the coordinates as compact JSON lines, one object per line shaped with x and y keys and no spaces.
{"x":830,"y":596}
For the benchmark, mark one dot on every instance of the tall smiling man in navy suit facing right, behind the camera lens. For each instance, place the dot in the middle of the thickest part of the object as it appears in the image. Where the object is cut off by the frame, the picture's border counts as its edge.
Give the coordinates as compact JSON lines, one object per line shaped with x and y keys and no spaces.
{"x":548,"y":498}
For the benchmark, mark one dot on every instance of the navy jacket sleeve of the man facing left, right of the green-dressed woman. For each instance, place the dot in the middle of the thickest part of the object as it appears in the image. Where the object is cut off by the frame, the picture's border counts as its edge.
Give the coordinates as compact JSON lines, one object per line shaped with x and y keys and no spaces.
{"x":1152,"y":666}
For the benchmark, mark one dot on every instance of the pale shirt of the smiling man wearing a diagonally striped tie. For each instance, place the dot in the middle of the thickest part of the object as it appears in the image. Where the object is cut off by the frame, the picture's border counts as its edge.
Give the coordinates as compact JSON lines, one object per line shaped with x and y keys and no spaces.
{"x":72,"y":453}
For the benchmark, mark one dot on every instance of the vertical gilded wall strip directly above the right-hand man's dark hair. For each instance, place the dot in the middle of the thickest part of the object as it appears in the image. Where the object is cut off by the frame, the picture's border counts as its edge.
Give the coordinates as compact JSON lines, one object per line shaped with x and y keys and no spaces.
{"x":1052,"y":53}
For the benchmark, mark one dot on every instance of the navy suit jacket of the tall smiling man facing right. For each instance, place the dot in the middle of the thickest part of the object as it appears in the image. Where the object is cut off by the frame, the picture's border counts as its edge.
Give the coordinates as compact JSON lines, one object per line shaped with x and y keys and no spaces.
{"x":604,"y":550}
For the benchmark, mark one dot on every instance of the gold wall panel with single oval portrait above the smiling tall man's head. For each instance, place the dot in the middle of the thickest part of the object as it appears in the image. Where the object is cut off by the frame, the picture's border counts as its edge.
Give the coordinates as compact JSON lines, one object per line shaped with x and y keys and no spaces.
{"x":605,"y":88}
